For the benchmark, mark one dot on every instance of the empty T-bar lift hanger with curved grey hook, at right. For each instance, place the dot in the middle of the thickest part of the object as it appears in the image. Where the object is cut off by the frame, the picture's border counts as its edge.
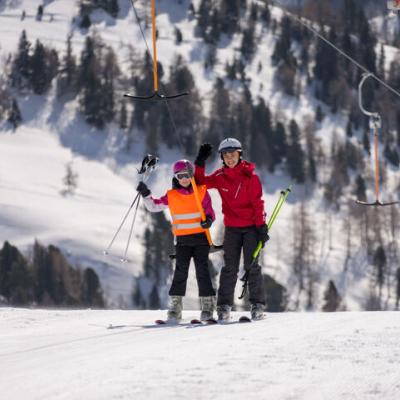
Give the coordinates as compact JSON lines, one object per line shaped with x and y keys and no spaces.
{"x":374,"y":124}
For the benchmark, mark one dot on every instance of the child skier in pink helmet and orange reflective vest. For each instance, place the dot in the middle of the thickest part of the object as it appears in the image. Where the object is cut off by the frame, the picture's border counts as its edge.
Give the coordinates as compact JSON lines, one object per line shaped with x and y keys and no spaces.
{"x":191,"y":240}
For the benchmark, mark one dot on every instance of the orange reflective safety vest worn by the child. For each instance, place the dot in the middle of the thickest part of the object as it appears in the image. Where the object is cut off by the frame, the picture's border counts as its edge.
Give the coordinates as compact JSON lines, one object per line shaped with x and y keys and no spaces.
{"x":185,"y":214}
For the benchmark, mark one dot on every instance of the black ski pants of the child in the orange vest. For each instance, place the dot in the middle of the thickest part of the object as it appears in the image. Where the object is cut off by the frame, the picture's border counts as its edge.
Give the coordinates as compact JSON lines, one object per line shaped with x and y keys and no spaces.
{"x":186,"y":249}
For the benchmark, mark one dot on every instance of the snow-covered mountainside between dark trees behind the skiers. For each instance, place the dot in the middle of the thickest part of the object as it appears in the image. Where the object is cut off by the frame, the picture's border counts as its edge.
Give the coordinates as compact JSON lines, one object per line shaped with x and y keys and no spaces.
{"x":33,"y":159}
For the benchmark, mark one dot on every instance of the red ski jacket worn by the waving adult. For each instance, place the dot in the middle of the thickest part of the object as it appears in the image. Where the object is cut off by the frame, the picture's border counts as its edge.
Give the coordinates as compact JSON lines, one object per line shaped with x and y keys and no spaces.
{"x":241,"y":193}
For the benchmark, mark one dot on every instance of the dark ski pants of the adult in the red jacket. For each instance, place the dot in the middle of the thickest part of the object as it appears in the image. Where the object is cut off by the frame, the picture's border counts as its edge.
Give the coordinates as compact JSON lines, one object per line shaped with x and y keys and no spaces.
{"x":235,"y":240}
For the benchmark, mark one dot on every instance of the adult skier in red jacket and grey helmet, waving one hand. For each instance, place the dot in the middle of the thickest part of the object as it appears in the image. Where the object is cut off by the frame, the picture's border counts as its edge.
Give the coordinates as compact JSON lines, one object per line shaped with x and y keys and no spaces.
{"x":244,"y":219}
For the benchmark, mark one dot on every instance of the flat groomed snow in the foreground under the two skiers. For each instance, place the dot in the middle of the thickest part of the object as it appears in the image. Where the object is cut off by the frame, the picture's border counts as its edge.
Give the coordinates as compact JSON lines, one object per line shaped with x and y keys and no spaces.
{"x":53,"y":354}
